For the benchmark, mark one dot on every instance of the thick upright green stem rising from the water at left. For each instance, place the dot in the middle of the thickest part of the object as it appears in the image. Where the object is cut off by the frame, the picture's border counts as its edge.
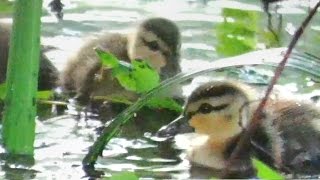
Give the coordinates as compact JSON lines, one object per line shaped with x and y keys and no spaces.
{"x":22,"y":77}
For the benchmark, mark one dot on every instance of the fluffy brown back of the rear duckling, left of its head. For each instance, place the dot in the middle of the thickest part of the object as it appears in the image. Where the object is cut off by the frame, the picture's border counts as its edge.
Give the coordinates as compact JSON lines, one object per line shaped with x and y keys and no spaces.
{"x":79,"y":73}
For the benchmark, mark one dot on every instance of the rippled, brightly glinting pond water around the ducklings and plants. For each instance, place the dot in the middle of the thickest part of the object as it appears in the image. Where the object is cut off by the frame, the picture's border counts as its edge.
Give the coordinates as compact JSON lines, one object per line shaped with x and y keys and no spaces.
{"x":62,"y":141}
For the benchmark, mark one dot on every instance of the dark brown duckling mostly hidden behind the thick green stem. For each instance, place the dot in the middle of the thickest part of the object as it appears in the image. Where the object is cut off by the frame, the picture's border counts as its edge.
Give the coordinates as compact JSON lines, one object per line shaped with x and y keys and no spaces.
{"x":48,"y":74}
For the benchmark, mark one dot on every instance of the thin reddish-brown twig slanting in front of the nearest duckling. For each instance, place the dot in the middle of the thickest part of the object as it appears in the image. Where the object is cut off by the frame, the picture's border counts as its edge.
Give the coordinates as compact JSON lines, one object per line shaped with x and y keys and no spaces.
{"x":257,"y":116}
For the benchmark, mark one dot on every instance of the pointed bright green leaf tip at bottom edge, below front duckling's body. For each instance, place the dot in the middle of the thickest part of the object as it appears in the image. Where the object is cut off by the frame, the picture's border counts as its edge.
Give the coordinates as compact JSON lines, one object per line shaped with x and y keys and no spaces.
{"x":265,"y":172}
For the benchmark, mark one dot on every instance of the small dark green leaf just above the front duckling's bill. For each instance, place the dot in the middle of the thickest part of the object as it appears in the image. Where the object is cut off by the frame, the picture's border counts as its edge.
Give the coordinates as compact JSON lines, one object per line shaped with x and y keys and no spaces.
{"x":166,"y":103}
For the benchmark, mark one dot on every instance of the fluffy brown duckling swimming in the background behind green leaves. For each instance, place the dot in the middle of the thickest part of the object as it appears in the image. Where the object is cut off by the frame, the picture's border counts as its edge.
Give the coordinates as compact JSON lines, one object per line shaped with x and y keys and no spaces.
{"x":156,"y":40}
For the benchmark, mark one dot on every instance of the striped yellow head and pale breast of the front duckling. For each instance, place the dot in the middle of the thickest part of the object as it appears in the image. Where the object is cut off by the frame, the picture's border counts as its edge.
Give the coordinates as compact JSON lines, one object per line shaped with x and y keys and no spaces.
{"x":218,"y":112}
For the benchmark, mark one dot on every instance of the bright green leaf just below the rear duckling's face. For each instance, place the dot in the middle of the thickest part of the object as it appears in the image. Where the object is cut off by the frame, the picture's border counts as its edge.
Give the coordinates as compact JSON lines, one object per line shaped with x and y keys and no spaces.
{"x":145,"y":76}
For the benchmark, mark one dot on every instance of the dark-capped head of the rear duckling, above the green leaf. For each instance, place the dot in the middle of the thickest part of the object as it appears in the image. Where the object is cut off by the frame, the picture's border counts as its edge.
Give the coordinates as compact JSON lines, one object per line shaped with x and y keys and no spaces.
{"x":157,"y":40}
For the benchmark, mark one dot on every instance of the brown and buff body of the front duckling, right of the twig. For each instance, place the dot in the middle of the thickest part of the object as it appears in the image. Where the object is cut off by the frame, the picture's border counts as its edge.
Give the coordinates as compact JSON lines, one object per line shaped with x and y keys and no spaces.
{"x":293,"y":136}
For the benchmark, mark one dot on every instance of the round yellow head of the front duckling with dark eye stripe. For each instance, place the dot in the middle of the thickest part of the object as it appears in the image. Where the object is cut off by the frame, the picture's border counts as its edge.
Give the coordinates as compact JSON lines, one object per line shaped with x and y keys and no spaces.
{"x":218,"y":109}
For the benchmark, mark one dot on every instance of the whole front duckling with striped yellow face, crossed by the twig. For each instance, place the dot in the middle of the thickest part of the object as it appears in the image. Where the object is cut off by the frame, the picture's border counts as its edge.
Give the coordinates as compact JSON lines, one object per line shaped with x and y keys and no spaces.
{"x":220,"y":111}
